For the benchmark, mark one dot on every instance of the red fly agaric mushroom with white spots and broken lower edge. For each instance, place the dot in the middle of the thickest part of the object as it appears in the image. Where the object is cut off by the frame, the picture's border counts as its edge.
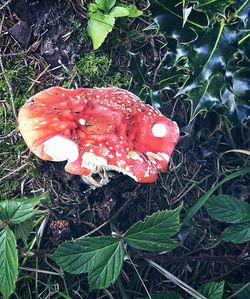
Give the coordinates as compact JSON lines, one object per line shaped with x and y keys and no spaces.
{"x":96,"y":130}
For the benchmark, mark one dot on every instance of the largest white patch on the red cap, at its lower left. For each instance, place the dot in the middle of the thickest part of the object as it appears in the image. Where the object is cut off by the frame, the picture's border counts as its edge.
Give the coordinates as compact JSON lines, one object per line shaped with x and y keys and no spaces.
{"x":61,"y":149}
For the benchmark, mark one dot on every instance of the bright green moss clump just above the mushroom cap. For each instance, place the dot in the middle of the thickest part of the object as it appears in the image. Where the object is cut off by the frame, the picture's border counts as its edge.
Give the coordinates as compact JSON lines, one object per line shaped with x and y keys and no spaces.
{"x":98,"y":71}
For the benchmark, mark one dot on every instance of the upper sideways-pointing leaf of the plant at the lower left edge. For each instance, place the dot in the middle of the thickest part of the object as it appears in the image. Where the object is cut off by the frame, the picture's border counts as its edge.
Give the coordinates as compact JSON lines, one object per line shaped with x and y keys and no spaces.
{"x":19,"y":210}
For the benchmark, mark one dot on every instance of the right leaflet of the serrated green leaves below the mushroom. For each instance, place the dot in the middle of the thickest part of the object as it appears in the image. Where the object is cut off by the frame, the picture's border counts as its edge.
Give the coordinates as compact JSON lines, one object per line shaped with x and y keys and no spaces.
{"x":154,"y":232}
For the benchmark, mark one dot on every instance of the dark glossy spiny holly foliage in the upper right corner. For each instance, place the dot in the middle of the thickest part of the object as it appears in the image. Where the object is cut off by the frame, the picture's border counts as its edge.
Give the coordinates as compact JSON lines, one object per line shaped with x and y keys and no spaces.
{"x":209,"y":54}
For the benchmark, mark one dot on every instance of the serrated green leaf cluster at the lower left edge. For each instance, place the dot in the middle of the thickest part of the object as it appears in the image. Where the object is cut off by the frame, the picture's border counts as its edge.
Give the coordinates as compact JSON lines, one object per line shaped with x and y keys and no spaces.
{"x":15,"y":223}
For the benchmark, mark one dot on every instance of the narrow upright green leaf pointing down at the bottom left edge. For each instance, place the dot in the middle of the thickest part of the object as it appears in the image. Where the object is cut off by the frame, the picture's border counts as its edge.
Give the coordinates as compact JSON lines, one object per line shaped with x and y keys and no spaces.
{"x":8,"y":262}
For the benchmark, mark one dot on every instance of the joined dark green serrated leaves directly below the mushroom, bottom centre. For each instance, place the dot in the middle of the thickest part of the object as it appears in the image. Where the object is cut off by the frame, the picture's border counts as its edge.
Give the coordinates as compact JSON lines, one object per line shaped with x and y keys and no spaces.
{"x":102,"y":257}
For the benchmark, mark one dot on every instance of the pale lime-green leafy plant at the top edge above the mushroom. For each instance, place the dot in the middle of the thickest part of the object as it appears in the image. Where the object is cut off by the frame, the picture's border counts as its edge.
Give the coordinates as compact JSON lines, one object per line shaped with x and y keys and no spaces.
{"x":102,"y":14}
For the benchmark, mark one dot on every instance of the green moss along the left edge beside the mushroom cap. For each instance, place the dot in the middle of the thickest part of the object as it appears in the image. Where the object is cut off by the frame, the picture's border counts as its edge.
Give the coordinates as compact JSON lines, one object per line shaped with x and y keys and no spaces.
{"x":12,"y":146}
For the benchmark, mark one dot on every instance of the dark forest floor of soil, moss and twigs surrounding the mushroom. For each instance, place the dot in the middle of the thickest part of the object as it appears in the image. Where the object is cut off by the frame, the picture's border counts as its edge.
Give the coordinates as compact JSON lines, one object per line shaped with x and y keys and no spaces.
{"x":43,"y":44}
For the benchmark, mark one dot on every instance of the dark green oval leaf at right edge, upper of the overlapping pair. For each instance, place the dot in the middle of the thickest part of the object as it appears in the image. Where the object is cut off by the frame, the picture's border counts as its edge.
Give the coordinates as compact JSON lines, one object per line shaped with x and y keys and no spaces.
{"x":228,"y":209}
